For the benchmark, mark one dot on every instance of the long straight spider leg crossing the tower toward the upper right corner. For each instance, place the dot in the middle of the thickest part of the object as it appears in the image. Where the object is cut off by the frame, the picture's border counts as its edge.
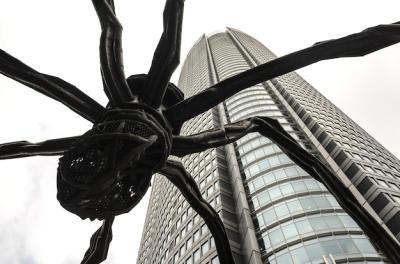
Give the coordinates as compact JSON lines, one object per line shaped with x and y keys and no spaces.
{"x":359,"y":44}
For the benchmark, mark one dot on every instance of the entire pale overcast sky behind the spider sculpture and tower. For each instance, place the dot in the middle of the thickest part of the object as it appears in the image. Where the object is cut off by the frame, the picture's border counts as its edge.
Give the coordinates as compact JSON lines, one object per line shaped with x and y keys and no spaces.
{"x":61,"y":38}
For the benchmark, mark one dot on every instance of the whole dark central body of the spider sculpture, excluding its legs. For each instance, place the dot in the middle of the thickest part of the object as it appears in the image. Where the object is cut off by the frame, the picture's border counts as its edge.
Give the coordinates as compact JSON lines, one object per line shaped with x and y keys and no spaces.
{"x":102,"y":176}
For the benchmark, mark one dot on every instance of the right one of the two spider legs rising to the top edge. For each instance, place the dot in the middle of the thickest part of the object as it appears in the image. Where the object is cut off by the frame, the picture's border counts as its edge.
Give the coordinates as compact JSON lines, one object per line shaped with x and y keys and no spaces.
{"x":166,"y":57}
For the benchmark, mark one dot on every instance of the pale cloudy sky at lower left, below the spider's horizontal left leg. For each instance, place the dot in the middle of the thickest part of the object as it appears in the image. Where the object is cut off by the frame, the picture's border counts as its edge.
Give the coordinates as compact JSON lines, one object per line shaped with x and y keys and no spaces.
{"x":34,"y":228}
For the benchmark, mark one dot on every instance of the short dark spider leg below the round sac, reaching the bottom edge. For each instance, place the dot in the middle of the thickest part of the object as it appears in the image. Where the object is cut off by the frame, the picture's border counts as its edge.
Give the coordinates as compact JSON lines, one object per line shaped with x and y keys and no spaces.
{"x":99,"y":244}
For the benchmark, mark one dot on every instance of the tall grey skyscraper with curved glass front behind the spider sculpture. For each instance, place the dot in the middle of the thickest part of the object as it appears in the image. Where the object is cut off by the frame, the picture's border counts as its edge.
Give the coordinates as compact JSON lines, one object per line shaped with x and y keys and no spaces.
{"x":274,"y":212}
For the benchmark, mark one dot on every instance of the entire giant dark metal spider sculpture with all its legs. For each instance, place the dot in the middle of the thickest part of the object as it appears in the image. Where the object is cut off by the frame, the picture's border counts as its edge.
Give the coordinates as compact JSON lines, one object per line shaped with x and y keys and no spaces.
{"x":107,"y":170}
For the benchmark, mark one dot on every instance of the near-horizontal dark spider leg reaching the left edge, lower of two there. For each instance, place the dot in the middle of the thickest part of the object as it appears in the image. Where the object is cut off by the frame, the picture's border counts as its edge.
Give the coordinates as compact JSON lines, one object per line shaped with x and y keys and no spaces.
{"x":20,"y":149}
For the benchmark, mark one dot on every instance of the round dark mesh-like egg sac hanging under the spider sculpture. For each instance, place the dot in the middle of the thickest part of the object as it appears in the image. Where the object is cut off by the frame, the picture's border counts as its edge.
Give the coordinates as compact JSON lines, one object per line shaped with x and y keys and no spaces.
{"x":108,"y":172}
